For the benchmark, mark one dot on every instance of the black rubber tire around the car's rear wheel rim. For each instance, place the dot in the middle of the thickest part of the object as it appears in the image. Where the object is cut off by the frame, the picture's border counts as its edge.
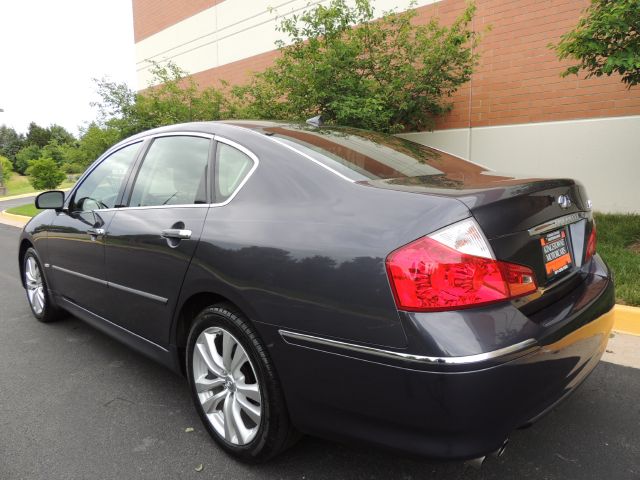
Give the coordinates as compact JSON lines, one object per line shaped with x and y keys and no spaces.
{"x":274,"y":432}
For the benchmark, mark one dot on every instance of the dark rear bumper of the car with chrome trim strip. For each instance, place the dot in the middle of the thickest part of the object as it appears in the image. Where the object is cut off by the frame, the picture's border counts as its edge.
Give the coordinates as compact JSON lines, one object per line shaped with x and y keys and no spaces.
{"x":460,"y":406}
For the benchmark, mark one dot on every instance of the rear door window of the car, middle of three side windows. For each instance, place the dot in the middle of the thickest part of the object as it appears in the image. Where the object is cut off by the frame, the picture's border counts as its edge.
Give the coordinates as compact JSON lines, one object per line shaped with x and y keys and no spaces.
{"x":174,"y":172}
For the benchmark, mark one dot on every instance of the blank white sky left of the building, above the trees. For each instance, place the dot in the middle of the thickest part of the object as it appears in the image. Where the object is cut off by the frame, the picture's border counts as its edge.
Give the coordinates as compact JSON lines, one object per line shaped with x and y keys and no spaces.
{"x":49,"y":52}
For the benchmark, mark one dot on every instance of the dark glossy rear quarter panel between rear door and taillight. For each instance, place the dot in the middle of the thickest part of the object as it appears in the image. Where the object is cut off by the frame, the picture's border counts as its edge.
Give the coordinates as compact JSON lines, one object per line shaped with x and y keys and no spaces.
{"x":303,"y":249}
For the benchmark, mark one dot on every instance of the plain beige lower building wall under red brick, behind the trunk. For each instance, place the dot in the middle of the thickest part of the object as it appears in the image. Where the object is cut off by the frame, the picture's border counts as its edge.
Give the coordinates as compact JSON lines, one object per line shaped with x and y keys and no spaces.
{"x":602,"y":153}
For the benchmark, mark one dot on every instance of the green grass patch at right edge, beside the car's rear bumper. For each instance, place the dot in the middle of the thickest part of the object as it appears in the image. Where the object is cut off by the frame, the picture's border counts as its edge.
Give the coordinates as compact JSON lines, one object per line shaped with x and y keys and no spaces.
{"x":619,"y":245}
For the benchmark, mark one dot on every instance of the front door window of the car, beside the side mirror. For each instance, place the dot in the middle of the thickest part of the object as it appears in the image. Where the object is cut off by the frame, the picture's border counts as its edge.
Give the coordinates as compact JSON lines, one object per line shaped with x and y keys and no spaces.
{"x":101,"y":187}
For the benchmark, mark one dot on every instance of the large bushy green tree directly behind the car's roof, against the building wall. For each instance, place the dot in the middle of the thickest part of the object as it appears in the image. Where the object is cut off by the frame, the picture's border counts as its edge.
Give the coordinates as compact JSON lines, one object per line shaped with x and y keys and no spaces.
{"x":386,"y":74}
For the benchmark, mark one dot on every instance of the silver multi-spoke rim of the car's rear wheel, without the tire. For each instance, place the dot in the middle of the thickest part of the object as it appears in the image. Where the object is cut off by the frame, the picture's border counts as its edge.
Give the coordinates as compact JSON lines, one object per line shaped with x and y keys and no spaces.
{"x":227,"y":386}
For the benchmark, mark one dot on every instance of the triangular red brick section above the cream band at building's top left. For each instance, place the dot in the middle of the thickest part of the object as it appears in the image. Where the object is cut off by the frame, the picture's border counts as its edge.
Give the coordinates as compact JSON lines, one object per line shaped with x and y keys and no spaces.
{"x":152,"y":16}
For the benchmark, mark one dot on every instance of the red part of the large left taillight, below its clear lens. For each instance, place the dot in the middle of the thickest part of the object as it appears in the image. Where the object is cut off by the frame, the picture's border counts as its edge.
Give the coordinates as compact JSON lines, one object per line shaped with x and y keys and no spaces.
{"x":426,"y":275}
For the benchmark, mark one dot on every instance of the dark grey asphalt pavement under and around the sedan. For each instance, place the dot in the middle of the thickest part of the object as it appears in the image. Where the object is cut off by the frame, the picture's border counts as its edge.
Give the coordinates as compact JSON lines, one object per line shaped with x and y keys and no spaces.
{"x":75,"y":404}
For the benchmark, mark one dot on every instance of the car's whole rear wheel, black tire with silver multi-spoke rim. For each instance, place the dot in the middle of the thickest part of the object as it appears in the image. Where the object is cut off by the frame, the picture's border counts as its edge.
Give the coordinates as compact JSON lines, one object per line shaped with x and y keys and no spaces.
{"x":234,"y":386}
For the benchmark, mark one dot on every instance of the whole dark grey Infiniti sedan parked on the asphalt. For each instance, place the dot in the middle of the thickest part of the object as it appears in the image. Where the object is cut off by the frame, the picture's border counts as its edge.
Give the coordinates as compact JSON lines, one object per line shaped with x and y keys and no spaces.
{"x":330,"y":281}
